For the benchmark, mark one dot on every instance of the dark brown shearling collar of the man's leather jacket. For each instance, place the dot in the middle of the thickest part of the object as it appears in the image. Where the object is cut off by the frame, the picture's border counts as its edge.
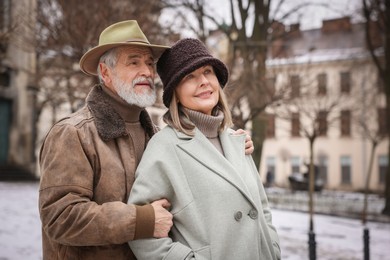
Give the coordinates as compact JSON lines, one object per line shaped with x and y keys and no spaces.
{"x":108,"y":122}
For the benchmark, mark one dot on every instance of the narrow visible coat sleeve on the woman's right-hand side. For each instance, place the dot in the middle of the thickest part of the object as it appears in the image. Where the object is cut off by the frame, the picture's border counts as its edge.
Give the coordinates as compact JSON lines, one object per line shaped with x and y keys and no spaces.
{"x":266,"y":211}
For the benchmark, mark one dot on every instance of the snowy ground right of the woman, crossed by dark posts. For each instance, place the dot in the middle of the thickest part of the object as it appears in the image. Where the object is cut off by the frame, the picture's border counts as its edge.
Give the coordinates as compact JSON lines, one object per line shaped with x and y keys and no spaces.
{"x":337,"y":238}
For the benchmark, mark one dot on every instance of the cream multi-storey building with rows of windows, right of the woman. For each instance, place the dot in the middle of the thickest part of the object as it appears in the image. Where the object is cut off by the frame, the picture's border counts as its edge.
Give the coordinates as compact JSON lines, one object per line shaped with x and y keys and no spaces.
{"x":331,"y":85}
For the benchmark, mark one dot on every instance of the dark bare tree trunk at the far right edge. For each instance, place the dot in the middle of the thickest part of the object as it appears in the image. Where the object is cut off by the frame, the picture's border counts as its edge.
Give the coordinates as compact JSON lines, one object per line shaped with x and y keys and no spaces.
{"x":377,"y":15}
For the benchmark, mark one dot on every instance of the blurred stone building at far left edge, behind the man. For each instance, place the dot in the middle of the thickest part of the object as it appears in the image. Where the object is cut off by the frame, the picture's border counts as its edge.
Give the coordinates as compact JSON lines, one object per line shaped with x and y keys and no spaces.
{"x":17,"y":68}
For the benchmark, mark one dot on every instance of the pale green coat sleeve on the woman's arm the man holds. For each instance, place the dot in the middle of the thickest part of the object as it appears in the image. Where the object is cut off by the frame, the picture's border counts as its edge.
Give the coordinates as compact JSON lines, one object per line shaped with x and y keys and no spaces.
{"x":158,"y":176}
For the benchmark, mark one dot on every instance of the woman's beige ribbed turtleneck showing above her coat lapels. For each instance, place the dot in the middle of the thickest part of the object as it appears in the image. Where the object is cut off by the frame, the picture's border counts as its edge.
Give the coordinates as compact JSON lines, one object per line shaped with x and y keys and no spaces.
{"x":208,"y":125}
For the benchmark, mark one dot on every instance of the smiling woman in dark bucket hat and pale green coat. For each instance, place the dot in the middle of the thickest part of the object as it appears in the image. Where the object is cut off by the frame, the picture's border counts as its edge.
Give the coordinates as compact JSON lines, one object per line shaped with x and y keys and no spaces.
{"x":219,"y":206}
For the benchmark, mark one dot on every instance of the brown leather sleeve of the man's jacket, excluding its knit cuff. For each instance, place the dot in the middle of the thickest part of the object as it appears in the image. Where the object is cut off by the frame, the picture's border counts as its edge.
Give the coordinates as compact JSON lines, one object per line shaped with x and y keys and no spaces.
{"x":68,"y":213}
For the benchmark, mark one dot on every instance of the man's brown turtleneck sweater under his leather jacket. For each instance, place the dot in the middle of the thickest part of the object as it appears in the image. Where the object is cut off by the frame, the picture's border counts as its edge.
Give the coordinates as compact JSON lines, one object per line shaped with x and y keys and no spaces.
{"x":130,"y":114}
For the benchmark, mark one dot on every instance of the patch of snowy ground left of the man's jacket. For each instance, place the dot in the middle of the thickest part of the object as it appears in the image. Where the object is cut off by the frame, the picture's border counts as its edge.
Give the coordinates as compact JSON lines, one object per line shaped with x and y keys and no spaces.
{"x":20,"y":228}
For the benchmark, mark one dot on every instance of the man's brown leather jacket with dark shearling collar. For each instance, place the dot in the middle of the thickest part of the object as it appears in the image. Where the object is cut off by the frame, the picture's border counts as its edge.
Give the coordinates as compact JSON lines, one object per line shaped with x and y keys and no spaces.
{"x":87,"y":171}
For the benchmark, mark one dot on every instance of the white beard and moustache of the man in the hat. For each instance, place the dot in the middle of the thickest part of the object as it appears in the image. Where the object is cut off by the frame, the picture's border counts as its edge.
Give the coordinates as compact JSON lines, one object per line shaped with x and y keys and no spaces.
{"x":126,"y":91}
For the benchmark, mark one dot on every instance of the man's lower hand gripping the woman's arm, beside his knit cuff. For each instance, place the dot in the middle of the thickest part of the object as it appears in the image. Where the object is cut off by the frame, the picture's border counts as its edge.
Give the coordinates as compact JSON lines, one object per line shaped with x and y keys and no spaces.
{"x":163,"y":218}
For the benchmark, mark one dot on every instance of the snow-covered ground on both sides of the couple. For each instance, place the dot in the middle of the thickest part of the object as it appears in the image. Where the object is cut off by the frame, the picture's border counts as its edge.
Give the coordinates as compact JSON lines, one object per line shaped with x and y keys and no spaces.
{"x":337,"y":238}
